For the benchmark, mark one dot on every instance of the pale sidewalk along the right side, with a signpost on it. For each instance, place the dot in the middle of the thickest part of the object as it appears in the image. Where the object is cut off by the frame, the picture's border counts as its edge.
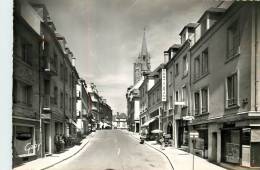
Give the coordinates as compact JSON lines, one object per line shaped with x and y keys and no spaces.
{"x":179,"y":159}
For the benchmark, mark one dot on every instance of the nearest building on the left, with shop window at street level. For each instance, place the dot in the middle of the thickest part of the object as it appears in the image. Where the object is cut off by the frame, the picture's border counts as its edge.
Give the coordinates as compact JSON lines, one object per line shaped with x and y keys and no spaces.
{"x":26,"y":83}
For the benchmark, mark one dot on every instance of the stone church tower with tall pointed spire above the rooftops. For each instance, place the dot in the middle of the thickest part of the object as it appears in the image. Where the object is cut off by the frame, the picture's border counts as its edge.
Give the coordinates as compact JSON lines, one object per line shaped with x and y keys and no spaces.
{"x":142,"y":63}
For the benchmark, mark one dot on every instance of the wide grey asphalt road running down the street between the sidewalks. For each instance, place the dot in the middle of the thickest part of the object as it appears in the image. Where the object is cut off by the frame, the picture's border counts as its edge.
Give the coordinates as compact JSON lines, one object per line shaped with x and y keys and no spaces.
{"x":115,"y":150}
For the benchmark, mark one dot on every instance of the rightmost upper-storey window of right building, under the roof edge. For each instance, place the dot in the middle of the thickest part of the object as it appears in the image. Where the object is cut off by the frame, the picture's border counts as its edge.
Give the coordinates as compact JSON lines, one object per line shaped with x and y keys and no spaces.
{"x":233,"y":40}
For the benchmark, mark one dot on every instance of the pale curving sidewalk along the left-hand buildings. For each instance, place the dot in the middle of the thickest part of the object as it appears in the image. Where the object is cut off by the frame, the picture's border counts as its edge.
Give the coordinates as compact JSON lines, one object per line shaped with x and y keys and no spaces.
{"x":49,"y":161}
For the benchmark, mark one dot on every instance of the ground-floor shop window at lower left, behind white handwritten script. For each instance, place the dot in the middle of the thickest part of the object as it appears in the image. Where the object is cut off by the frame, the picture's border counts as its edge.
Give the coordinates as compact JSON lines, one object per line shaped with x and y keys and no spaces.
{"x":23,"y":139}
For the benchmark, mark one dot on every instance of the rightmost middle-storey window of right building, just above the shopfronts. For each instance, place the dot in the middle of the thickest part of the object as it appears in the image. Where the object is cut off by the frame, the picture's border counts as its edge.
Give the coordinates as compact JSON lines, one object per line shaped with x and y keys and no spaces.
{"x":232,"y":90}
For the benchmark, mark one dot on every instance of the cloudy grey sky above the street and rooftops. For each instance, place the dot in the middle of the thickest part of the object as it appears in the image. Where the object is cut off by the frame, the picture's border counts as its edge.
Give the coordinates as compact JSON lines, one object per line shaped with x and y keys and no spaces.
{"x":106,"y":36}
